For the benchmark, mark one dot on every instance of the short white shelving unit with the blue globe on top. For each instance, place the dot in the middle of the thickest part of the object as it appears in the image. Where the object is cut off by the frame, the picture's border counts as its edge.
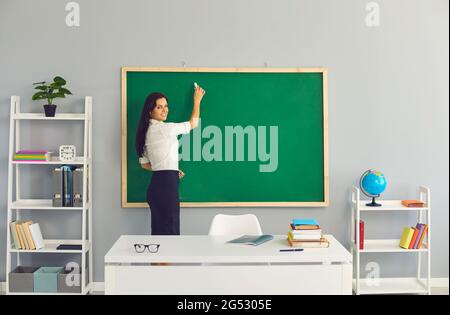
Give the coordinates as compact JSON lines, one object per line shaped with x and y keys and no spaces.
{"x":418,"y":285}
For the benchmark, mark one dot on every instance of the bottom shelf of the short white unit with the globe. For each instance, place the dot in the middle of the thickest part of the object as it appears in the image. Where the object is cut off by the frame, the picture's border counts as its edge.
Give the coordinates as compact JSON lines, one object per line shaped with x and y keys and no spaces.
{"x":391,"y":286}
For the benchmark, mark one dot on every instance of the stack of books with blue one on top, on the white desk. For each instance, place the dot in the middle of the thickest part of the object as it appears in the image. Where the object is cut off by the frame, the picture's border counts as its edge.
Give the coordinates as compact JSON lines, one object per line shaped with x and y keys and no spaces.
{"x":307,"y":234}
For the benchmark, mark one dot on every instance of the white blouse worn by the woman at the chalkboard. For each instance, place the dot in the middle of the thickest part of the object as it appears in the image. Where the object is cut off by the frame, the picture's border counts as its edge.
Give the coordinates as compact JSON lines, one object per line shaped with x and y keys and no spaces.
{"x":161,"y":144}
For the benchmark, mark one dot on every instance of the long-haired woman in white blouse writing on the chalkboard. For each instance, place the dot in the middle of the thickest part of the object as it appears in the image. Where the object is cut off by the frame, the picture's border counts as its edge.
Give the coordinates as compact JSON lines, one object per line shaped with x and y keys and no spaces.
{"x":157,"y":148}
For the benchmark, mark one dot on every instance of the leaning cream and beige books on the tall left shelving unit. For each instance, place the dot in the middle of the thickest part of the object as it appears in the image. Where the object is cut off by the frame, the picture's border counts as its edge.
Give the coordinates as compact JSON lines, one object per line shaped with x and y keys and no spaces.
{"x":26,"y":235}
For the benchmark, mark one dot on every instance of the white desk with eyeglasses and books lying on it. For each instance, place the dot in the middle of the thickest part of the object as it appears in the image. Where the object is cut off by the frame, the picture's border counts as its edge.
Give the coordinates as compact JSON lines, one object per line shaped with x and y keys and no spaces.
{"x":207,"y":265}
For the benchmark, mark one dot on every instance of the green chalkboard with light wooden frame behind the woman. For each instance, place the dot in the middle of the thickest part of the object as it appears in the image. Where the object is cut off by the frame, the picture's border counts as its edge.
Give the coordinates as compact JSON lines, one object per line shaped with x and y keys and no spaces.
{"x":262,"y":140}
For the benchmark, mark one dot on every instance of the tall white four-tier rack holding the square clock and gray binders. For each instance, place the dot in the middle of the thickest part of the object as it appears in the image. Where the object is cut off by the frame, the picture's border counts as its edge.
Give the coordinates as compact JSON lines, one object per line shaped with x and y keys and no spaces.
{"x":32,"y":207}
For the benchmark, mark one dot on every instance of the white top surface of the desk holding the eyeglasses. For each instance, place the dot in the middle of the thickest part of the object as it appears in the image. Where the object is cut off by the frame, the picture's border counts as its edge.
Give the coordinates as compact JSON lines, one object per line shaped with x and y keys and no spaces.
{"x":214,"y":249}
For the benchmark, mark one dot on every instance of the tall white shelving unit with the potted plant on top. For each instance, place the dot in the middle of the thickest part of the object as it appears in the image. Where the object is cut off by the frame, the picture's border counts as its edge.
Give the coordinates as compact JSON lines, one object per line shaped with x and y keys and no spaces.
{"x":16,"y":204}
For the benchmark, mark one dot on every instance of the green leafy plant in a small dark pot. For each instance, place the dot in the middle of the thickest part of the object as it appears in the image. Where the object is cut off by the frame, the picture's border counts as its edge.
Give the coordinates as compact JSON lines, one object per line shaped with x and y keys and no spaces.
{"x":49,"y":92}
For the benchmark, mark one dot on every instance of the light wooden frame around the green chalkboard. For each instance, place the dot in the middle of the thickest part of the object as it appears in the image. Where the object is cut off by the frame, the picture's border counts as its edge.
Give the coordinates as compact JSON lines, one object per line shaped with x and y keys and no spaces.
{"x":323,"y":71}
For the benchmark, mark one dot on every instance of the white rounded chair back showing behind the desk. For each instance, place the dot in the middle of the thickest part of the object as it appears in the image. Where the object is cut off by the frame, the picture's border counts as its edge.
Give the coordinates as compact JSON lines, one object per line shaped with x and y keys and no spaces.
{"x":246,"y":224}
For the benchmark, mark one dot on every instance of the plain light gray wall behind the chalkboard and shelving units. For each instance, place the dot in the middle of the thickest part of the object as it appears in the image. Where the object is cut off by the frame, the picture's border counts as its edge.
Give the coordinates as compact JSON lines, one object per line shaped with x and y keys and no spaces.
{"x":388,"y":96}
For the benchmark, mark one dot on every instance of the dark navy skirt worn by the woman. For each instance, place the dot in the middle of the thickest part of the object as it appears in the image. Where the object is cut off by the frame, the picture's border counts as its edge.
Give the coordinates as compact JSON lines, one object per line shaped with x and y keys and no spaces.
{"x":164,"y":201}
